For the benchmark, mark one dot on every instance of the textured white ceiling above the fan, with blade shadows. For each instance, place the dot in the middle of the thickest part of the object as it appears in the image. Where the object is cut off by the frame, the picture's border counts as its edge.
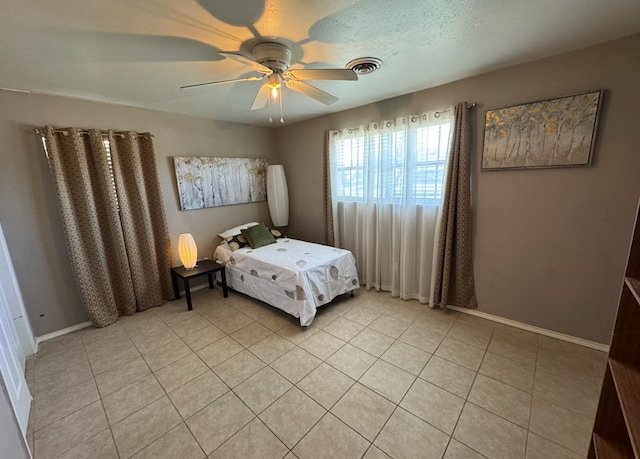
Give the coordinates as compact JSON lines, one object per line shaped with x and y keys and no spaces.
{"x":139,"y":52}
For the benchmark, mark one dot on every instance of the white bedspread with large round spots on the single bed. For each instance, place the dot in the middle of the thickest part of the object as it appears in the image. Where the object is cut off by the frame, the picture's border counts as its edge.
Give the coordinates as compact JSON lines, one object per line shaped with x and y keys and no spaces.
{"x":292,"y":275}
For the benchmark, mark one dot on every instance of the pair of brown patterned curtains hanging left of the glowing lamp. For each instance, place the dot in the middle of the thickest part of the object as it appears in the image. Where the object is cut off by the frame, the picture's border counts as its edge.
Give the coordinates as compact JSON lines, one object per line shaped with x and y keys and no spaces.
{"x":108,"y":245}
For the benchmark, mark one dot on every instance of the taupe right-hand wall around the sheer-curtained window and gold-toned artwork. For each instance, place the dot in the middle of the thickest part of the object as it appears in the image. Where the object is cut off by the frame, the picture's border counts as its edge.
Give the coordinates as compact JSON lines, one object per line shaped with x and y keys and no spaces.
{"x":550,"y":245}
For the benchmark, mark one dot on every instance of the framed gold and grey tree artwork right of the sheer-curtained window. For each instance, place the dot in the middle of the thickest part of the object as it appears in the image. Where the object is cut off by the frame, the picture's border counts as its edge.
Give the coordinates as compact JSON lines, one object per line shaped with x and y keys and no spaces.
{"x":550,"y":133}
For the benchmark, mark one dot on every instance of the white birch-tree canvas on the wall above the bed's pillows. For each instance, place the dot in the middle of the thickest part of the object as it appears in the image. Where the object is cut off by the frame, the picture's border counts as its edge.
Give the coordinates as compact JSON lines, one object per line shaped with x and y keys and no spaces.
{"x":204,"y":181}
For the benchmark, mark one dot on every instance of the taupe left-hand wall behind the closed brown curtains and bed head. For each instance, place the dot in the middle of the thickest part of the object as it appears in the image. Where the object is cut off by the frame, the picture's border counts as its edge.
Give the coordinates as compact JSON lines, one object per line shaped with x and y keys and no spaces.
{"x":28,"y":209}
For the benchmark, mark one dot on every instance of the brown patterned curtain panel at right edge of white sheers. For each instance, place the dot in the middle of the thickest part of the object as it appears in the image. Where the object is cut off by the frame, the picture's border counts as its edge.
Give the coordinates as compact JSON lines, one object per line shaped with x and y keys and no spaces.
{"x":454,"y":284}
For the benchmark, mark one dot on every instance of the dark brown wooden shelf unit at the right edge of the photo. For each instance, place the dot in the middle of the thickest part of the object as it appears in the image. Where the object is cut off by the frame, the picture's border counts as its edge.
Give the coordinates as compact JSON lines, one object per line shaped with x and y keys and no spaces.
{"x":616,"y":433}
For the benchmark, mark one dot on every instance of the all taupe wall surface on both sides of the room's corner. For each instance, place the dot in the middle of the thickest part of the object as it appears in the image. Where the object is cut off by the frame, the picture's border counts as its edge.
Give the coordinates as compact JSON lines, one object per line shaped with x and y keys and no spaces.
{"x":550,"y":245}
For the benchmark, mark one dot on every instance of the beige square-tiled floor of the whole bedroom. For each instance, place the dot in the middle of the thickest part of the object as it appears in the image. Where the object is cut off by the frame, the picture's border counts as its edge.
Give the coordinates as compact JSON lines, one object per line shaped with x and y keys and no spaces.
{"x":373,"y":377}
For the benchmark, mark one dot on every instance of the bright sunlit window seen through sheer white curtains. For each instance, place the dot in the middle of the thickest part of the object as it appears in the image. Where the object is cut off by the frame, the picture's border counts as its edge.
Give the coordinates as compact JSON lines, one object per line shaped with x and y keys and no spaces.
{"x":407,"y":165}
